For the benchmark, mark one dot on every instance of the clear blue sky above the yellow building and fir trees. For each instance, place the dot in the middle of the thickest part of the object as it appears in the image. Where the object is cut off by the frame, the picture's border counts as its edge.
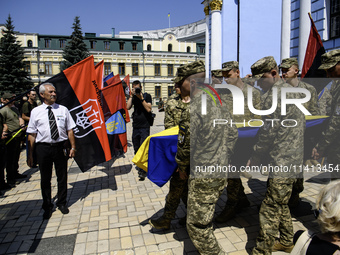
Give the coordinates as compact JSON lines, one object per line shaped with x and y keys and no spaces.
{"x":98,"y":16}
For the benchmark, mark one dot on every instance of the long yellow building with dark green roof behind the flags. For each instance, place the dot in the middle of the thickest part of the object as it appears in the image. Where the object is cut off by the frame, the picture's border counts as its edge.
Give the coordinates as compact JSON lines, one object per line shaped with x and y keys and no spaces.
{"x":149,"y":56}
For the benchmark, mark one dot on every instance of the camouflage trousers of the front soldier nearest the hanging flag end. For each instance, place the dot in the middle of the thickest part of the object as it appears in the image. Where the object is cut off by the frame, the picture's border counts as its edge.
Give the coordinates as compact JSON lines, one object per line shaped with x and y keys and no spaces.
{"x":202,"y":197}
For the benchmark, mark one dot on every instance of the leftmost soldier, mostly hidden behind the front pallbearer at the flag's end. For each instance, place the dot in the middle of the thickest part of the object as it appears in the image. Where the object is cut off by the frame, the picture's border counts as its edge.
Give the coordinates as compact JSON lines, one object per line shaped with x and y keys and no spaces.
{"x":178,"y":187}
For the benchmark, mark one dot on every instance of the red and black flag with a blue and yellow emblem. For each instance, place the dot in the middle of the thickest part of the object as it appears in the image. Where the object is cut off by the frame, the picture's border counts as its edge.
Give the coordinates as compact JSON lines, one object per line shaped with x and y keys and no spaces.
{"x":116,"y":116}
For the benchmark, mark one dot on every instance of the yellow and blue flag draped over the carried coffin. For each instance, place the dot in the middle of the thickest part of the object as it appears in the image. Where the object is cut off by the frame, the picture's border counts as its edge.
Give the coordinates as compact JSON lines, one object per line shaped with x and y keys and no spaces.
{"x":157,"y":153}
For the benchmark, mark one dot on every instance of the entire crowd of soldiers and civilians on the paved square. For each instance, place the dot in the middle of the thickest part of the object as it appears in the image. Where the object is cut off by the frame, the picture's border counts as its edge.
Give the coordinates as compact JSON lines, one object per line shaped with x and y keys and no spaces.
{"x":200,"y":143}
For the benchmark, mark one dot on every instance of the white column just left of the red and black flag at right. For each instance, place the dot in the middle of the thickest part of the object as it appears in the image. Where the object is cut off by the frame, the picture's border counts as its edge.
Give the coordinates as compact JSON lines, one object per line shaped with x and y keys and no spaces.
{"x":305,"y":7}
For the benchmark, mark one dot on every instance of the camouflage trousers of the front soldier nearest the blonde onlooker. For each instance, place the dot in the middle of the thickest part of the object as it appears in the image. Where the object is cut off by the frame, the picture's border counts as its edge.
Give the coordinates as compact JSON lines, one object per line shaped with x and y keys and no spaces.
{"x":274,"y":216}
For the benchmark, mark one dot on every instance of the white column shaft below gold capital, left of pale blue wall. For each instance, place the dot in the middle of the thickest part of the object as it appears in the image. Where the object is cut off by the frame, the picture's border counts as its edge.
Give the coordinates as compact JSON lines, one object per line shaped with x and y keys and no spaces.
{"x":216,"y":40}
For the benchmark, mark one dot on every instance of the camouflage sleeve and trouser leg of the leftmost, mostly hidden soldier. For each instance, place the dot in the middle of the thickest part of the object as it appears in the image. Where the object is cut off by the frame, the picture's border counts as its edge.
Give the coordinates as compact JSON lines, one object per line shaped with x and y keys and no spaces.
{"x":178,"y":187}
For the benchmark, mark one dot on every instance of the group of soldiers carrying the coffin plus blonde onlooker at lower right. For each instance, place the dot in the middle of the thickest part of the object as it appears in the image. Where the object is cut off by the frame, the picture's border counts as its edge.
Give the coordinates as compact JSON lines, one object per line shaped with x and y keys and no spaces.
{"x":201,"y":143}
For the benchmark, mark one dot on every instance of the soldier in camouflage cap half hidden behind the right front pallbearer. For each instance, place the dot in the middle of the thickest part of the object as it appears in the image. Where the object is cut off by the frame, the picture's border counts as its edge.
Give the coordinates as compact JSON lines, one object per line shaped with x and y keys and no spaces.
{"x":290,"y":71}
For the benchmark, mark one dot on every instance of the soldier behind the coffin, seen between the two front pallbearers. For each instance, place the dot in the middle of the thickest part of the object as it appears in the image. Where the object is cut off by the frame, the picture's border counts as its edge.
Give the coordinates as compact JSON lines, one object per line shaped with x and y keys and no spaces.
{"x":237,"y":199}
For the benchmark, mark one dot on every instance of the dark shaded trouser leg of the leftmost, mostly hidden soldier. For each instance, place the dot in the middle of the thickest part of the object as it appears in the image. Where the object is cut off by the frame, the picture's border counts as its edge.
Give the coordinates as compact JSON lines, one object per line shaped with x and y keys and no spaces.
{"x":178,"y":190}
